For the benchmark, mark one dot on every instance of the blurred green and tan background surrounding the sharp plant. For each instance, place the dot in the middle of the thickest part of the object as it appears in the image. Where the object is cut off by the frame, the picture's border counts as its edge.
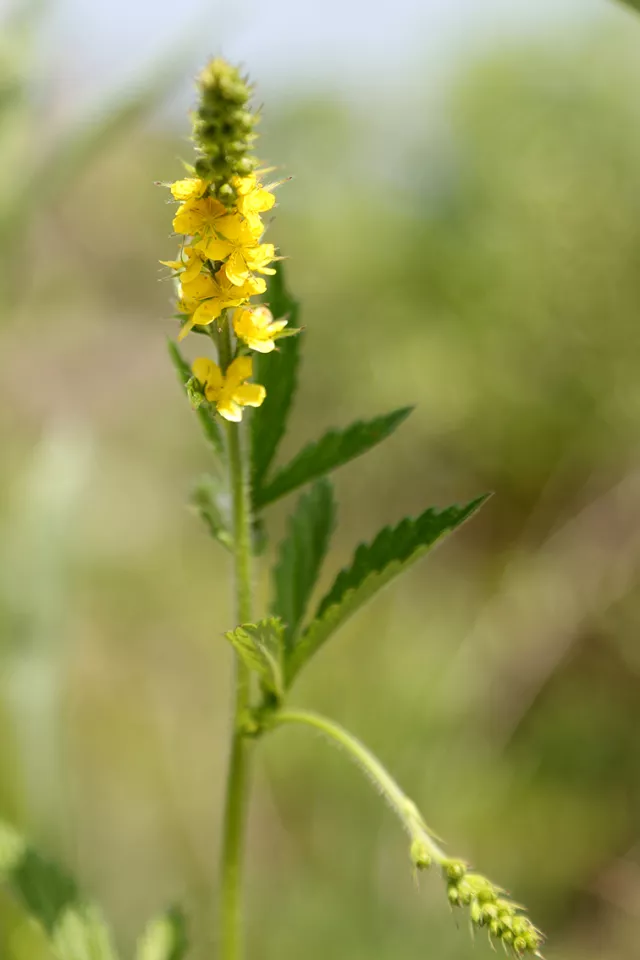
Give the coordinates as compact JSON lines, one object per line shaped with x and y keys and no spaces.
{"x":464,"y":232}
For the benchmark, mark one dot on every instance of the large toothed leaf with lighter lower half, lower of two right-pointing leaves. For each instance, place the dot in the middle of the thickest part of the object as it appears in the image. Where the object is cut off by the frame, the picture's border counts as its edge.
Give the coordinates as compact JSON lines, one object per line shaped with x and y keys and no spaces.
{"x":374,"y":565}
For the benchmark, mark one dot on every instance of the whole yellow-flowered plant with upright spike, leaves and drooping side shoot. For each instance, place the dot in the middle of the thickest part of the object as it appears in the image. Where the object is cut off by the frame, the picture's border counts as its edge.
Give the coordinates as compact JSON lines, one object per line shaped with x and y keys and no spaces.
{"x":219,"y":269}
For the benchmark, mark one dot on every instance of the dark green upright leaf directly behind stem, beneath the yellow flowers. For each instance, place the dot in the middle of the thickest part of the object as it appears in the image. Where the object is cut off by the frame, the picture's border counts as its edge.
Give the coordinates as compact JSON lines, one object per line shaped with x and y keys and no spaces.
{"x":278,"y":373}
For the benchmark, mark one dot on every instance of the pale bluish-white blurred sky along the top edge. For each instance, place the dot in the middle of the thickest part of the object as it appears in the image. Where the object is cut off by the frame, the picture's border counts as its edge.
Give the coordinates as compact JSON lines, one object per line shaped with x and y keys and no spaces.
{"x":291,"y":43}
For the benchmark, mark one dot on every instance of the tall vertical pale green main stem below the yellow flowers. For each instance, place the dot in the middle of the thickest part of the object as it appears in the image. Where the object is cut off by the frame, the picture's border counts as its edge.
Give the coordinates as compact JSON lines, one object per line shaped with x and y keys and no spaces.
{"x":230,"y":917}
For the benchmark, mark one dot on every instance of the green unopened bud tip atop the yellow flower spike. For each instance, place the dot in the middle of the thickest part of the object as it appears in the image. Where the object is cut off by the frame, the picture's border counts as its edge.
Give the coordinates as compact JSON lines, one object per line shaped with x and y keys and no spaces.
{"x":223,"y":130}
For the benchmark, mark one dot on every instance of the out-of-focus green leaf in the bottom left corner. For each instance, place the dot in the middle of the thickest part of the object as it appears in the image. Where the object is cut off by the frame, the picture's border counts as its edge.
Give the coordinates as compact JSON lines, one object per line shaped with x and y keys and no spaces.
{"x":74,"y":927}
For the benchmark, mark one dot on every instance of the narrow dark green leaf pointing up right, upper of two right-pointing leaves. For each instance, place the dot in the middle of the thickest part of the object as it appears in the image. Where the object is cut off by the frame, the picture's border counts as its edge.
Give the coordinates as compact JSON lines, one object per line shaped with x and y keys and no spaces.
{"x":333,"y":450}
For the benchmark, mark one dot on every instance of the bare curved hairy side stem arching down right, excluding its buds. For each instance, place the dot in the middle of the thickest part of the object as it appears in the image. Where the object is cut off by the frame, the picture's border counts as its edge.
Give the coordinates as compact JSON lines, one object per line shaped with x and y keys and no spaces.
{"x":404,"y":808}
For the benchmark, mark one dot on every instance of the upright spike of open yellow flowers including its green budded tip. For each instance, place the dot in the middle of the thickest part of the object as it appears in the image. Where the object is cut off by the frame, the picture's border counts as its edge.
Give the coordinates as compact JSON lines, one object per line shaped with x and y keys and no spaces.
{"x":223,"y":258}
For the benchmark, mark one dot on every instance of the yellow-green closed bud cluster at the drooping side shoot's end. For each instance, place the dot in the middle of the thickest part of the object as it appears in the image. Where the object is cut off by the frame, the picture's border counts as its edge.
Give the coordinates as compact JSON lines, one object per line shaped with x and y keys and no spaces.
{"x":489,"y":907}
